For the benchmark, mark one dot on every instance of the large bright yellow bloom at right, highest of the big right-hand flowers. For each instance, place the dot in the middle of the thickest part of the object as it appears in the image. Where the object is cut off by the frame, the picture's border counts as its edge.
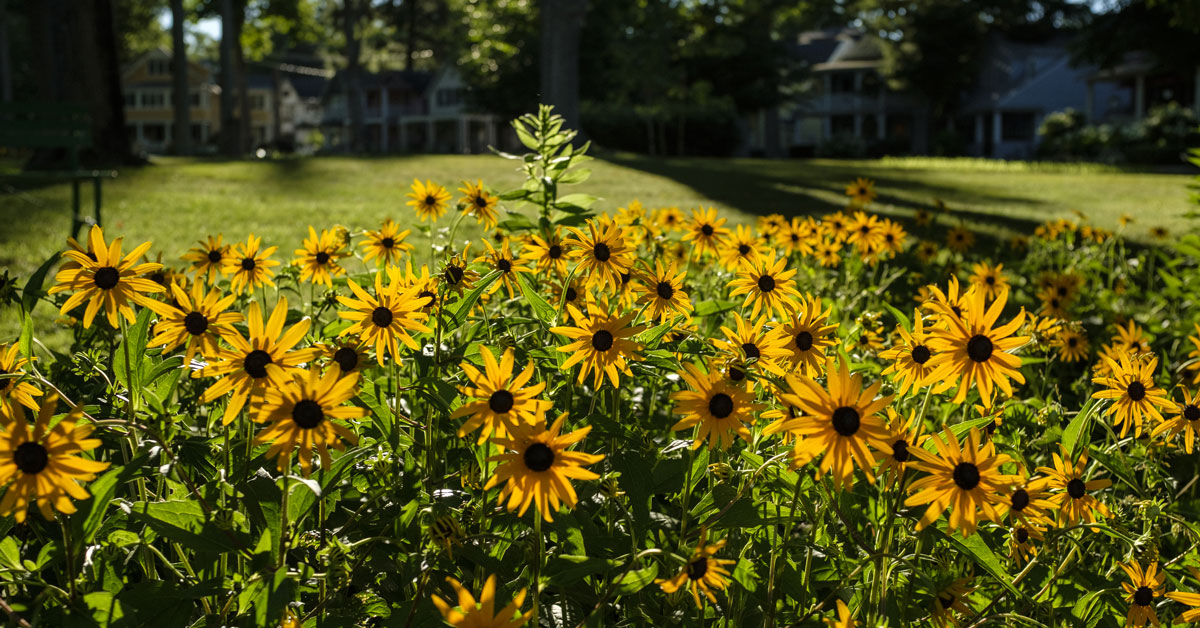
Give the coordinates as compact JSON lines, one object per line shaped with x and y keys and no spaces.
{"x":975,"y":352}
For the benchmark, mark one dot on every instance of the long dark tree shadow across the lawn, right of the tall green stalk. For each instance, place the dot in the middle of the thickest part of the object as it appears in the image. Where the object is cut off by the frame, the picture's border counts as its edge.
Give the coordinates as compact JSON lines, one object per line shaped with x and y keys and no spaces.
{"x":761,"y":188}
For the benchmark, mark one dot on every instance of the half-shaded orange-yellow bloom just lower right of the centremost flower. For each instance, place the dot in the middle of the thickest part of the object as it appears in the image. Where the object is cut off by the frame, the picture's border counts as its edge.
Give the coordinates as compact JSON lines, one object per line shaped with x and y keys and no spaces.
{"x":719,"y":408}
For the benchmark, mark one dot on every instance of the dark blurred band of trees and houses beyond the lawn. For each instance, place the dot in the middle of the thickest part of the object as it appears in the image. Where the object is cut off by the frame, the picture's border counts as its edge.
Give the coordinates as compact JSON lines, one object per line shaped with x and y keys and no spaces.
{"x":1113,"y":81}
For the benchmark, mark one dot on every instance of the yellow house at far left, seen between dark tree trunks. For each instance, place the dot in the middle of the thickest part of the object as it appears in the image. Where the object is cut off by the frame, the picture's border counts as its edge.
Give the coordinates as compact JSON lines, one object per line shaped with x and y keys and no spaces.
{"x":149,"y":105}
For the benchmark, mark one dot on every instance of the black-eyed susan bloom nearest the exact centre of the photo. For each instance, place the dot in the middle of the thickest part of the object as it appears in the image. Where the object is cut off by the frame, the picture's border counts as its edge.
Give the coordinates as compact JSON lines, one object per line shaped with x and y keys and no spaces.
{"x":602,"y":344}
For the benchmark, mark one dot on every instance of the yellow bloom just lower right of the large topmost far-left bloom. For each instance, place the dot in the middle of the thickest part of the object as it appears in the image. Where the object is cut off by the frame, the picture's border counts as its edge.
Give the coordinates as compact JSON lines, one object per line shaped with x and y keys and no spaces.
{"x":197,"y":321}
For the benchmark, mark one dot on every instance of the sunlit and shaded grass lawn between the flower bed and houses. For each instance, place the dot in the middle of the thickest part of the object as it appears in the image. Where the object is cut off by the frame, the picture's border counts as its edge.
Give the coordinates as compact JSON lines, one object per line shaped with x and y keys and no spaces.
{"x":176,"y":202}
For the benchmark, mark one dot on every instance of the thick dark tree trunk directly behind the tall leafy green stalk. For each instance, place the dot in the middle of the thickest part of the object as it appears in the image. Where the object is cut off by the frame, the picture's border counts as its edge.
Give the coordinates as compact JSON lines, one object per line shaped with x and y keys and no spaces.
{"x":562,"y":22}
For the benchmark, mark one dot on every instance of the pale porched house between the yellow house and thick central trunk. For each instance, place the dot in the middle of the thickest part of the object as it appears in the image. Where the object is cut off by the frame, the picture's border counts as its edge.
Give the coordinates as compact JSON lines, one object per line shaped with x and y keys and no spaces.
{"x":410,"y":111}
